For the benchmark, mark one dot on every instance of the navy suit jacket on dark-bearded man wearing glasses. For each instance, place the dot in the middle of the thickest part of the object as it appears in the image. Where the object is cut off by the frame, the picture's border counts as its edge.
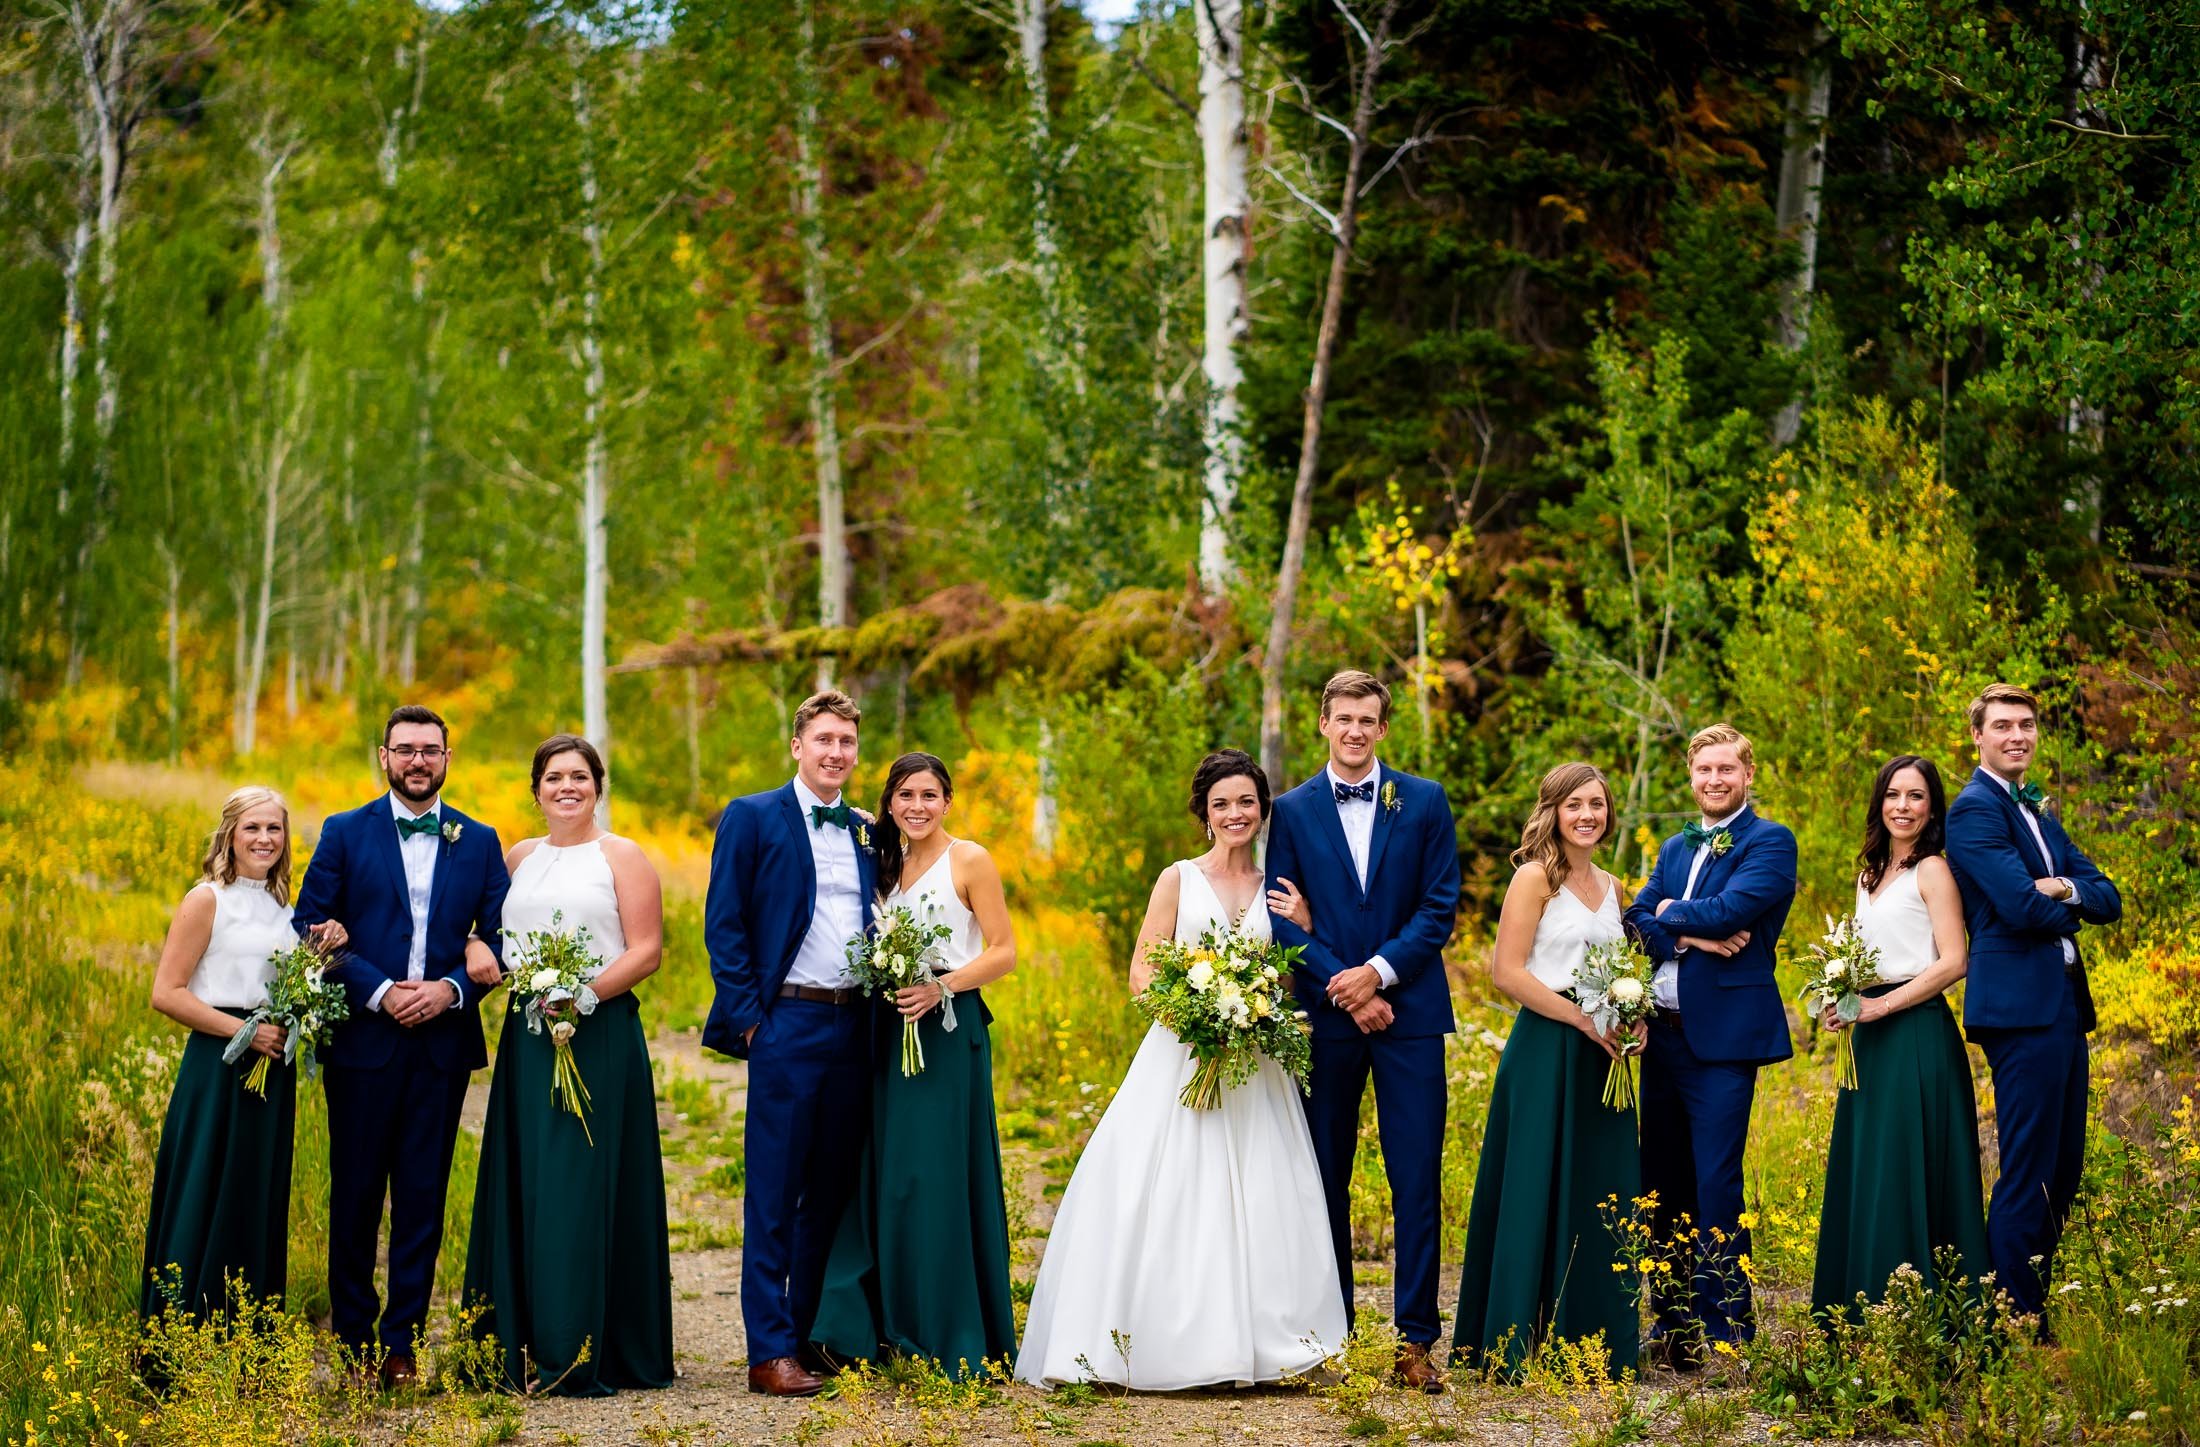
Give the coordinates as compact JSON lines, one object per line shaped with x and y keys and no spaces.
{"x":357,"y":879}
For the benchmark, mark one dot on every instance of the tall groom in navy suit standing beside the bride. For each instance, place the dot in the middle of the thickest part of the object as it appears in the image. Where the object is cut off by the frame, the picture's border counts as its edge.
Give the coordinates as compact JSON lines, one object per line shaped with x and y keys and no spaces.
{"x":1378,"y":859}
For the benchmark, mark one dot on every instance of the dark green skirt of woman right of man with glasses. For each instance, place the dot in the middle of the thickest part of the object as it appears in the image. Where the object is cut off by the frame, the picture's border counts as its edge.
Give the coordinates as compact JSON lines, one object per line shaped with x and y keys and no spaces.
{"x":569,"y":1244}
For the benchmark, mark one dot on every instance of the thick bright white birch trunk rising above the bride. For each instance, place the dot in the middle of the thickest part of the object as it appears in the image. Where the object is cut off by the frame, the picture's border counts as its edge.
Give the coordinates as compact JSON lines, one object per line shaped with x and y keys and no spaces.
{"x":1229,"y":199}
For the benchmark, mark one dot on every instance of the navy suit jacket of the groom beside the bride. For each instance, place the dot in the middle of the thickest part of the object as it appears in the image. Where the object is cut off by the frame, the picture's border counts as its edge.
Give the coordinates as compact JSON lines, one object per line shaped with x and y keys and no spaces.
{"x":1407,"y":914}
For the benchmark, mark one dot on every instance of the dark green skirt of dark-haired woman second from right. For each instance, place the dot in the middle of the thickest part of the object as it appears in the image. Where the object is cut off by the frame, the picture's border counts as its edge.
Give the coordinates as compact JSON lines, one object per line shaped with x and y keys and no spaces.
{"x":1902,"y":1173}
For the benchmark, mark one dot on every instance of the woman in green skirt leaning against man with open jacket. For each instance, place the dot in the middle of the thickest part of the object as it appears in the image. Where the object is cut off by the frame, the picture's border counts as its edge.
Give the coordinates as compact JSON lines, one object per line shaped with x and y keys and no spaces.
{"x":921,"y":1263}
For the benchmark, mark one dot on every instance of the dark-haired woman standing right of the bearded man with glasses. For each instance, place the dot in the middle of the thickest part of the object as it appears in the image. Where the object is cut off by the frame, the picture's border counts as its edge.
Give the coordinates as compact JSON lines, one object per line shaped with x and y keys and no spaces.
{"x":569,"y":1244}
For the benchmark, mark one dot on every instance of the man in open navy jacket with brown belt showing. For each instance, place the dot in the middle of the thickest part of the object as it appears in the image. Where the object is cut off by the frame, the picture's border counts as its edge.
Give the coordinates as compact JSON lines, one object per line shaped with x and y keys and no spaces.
{"x":791,"y":885}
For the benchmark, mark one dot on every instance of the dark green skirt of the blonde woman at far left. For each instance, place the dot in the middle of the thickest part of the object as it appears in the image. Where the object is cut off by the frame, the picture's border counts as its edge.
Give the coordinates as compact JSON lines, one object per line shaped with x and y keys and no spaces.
{"x":221,"y":1186}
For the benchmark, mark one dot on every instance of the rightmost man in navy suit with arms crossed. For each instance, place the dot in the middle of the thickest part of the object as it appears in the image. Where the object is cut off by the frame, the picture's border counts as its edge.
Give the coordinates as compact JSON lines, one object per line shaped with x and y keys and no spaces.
{"x":2025,"y":896}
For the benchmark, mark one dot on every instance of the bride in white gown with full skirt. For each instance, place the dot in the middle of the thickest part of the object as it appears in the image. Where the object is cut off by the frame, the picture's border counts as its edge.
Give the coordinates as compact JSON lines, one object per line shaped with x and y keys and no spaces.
{"x":1193,"y":1246}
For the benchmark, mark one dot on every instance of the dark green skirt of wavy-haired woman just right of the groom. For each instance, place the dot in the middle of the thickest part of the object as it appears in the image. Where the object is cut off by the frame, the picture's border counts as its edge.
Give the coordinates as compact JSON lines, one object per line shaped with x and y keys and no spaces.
{"x":1539,"y":1250}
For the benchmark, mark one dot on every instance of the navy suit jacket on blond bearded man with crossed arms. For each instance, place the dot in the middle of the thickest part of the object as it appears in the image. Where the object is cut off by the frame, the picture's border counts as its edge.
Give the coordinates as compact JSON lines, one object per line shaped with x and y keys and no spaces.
{"x":1730,"y":1008}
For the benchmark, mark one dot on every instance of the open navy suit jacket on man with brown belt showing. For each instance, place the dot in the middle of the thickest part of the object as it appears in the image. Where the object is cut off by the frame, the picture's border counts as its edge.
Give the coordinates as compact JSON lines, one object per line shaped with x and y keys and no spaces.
{"x":762,"y":896}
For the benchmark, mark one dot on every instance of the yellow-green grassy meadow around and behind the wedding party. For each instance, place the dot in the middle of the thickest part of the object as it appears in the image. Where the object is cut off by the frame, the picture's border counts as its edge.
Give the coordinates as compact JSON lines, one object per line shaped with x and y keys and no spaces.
{"x":91,"y":863}
